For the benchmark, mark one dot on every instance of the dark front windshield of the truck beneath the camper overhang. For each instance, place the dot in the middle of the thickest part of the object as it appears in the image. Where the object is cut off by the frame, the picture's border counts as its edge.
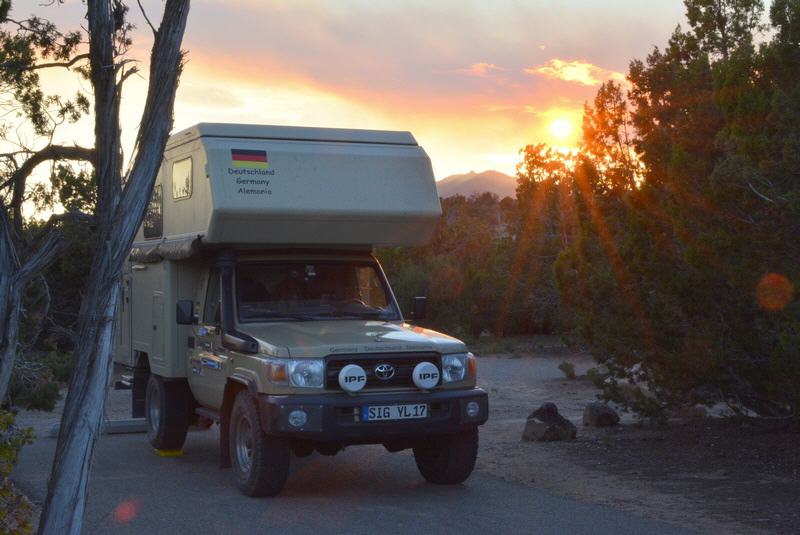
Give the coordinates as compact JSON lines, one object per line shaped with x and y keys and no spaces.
{"x":279,"y":291}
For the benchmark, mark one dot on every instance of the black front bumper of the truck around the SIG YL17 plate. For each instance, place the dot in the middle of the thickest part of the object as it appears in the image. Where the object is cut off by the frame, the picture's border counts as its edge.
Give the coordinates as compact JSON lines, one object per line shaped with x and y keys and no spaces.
{"x":337,"y":417}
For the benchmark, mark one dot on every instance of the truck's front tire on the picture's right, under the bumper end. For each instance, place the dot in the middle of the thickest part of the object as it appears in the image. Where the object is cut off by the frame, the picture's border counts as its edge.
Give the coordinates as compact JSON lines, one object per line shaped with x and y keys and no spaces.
{"x":447,"y":459}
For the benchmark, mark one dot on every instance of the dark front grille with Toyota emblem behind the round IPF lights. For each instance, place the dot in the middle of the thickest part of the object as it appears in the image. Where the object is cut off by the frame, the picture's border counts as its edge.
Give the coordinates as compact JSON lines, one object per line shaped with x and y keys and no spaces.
{"x":403,"y":363}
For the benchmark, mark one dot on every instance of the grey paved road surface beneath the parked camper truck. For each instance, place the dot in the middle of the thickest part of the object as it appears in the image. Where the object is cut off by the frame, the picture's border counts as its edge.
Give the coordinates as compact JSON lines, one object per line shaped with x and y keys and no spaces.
{"x":363,"y":490}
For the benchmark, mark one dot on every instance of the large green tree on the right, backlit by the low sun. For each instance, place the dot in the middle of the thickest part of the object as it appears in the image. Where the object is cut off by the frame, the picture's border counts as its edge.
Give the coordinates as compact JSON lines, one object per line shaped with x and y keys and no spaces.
{"x":681,"y":267}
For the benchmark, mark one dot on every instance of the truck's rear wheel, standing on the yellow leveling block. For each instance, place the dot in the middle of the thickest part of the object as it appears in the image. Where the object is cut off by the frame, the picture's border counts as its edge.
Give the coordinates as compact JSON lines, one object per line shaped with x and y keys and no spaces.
{"x":167,"y":413}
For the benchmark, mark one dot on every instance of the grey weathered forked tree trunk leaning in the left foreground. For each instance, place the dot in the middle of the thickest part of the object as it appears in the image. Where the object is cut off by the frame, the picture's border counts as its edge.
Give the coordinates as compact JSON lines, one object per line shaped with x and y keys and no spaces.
{"x":119,"y":214}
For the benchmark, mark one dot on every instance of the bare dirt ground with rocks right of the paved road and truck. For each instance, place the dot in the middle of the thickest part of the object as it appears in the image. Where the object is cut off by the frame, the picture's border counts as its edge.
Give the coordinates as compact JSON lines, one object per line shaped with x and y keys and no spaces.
{"x":715,"y":475}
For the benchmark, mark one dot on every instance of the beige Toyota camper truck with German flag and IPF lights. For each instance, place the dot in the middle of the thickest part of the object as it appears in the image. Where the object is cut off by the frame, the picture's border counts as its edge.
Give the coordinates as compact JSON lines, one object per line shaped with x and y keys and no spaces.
{"x":252,"y":299}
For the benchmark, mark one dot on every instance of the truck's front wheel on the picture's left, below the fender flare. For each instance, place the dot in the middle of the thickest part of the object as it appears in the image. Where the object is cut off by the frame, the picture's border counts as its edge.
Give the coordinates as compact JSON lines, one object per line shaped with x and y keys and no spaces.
{"x":260,"y":462}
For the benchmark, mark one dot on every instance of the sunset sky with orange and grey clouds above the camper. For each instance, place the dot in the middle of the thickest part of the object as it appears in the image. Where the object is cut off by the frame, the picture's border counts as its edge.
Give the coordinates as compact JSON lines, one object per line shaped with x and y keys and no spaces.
{"x":473,"y":81}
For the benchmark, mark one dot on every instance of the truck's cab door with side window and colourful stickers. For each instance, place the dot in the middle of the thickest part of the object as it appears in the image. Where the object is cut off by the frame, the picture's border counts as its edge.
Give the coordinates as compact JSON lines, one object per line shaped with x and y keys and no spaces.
{"x":208,"y":362}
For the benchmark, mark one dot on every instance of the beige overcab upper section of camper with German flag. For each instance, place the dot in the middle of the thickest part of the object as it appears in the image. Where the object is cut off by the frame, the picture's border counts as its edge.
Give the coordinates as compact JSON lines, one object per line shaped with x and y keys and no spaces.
{"x":229,"y":184}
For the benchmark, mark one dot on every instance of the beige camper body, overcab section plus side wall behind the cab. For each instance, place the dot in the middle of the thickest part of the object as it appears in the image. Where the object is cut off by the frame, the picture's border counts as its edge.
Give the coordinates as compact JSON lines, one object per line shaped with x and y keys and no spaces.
{"x":320,"y":187}
